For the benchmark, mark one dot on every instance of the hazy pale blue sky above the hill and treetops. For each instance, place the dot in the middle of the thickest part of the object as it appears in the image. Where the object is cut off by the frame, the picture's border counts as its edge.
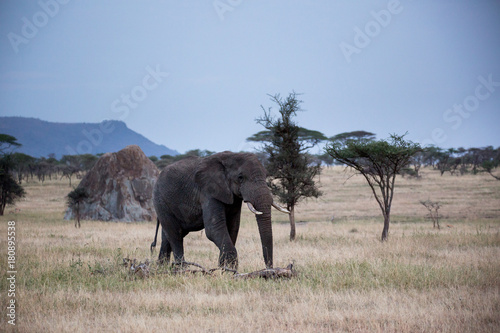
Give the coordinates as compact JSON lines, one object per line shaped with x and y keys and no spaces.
{"x":193,"y":74}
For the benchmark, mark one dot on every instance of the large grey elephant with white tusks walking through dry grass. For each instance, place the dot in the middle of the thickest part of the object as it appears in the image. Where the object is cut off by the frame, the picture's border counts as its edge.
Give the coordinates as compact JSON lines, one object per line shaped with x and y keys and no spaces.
{"x":207,"y":193}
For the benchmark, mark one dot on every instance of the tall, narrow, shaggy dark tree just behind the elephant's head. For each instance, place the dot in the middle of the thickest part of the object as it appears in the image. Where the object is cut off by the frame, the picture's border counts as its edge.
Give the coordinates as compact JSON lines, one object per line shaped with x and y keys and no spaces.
{"x":290,"y":168}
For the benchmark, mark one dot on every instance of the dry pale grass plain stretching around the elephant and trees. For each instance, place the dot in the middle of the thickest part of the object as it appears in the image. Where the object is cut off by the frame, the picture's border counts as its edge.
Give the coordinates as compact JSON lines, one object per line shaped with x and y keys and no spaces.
{"x":421,"y":280}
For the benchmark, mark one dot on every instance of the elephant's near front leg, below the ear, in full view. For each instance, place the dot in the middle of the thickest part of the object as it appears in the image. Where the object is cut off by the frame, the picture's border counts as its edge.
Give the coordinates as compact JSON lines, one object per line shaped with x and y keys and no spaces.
{"x":214,"y":218}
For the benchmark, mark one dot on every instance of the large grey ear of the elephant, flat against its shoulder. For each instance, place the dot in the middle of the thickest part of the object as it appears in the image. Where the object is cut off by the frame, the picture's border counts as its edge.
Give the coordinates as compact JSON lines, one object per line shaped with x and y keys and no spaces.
{"x":211,"y":178}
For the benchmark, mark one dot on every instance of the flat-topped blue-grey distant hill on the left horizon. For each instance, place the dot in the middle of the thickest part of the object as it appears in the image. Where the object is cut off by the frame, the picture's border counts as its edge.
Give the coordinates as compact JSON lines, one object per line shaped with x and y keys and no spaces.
{"x":40,"y":138}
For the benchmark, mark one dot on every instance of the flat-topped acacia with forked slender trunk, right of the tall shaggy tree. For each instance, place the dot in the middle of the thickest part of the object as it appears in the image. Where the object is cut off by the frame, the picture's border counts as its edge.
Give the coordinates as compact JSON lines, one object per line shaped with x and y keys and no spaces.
{"x":379,"y":162}
